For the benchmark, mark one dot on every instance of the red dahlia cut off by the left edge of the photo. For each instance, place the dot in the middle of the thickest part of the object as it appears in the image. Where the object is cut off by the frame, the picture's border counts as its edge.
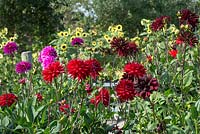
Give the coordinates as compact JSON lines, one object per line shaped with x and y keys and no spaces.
{"x":7,"y":99}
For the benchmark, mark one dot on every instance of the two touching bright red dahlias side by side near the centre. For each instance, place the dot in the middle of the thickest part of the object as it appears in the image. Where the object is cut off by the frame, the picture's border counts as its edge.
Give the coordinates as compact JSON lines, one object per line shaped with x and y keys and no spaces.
{"x":81,"y":69}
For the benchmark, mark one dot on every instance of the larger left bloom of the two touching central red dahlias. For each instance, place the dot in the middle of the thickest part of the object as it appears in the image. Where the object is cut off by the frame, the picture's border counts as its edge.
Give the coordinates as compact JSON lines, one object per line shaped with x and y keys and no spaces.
{"x":78,"y":69}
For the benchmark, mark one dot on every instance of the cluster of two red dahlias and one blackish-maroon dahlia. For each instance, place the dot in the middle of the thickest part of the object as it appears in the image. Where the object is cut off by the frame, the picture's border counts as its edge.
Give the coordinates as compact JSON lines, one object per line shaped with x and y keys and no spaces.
{"x":135,"y":82}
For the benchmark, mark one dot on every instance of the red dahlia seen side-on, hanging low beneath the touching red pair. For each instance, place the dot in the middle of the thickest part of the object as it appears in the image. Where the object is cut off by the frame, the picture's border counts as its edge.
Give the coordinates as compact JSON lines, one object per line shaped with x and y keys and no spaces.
{"x":103,"y":96}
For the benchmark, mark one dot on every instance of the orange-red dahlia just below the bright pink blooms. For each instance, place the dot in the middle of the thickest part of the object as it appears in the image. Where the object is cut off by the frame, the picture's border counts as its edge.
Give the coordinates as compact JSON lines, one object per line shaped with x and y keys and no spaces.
{"x":52,"y":71}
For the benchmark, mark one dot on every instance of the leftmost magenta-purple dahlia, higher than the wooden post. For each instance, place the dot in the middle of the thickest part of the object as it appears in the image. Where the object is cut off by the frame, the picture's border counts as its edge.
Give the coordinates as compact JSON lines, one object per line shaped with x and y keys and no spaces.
{"x":10,"y":48}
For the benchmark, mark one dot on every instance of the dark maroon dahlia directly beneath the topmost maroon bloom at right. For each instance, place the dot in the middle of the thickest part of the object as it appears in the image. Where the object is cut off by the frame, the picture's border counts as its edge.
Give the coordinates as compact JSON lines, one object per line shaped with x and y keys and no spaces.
{"x":187,"y":37}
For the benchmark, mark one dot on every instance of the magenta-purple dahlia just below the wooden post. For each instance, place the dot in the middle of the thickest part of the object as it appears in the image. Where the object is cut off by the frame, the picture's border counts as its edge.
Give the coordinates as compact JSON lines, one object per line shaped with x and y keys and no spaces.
{"x":22,"y":67}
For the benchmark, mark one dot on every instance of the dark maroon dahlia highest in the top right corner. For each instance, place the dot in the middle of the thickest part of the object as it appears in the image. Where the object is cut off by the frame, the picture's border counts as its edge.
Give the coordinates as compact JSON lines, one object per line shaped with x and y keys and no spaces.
{"x":188,"y":17}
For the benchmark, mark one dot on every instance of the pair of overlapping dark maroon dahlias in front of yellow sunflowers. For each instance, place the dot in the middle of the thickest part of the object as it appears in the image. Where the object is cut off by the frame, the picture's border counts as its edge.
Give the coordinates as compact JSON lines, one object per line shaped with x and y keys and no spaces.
{"x":123,"y":47}
